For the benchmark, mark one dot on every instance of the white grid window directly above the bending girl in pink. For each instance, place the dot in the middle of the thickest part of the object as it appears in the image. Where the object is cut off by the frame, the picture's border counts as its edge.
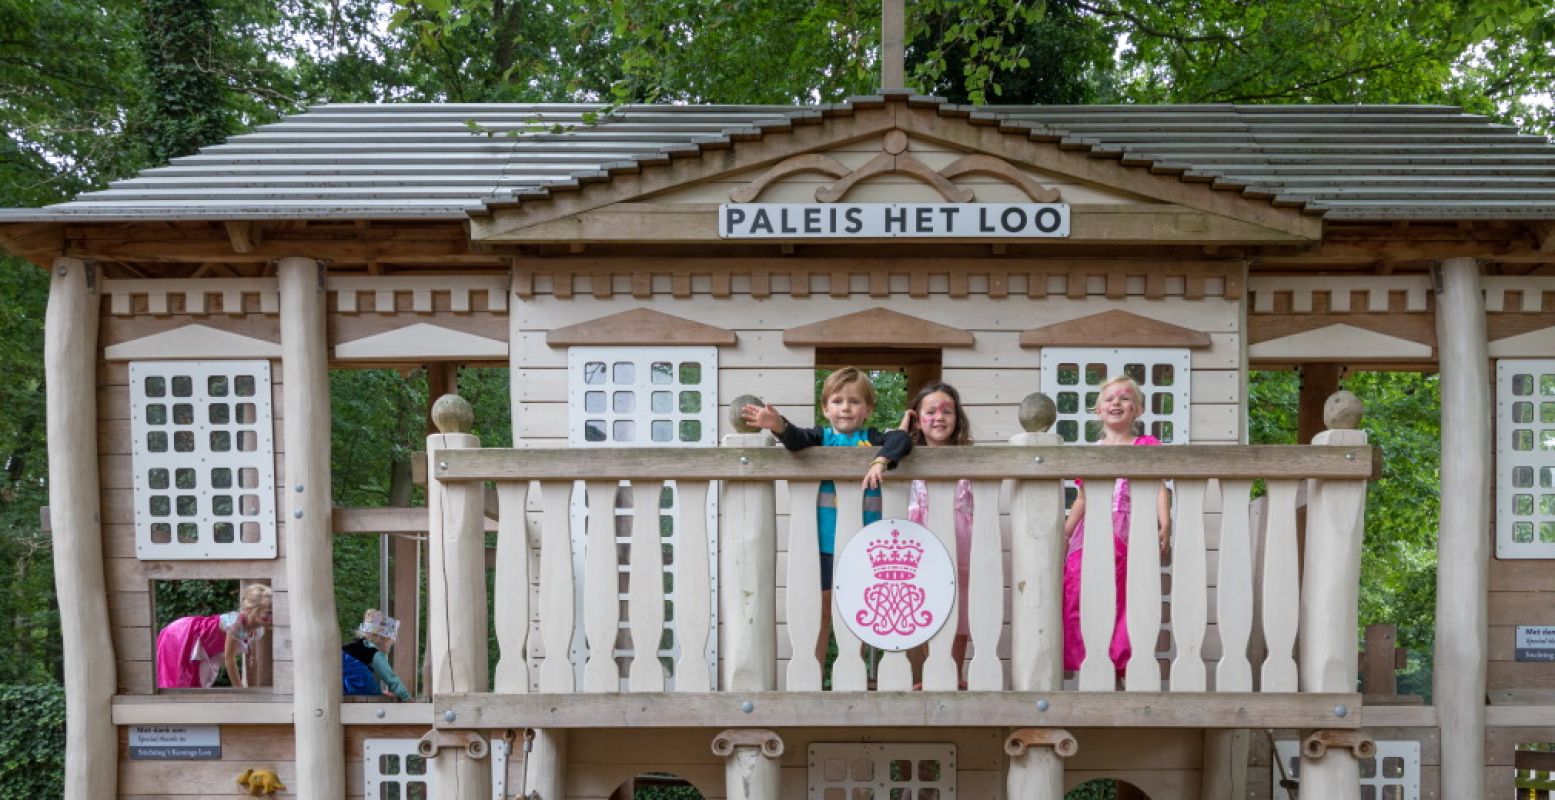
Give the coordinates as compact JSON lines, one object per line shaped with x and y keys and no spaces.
{"x":204,"y":460}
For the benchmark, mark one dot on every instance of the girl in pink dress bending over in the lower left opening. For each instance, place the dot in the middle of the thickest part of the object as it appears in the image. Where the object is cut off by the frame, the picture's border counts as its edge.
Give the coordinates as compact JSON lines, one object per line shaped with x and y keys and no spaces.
{"x":192,"y":650}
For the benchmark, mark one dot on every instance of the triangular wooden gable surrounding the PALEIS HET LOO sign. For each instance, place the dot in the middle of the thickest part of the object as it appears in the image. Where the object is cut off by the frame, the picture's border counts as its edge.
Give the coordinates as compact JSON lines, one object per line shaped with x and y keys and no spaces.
{"x":676,"y":200}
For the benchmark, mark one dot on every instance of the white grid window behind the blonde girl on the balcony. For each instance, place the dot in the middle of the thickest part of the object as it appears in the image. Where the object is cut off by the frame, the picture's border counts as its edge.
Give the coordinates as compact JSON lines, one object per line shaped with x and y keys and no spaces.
{"x":1074,"y":377}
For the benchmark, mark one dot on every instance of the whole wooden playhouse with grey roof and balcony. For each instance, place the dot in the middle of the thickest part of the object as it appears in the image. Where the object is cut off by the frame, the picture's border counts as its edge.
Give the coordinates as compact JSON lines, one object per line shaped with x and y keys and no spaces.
{"x":655,"y":586}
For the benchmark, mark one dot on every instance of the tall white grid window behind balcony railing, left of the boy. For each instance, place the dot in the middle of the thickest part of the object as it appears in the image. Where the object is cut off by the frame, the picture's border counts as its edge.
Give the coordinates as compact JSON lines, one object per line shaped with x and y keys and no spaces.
{"x":645,"y":398}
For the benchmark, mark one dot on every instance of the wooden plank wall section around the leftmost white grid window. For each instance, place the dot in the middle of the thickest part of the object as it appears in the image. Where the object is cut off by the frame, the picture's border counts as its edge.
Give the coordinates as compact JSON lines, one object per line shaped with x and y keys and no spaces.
{"x":130,"y":578}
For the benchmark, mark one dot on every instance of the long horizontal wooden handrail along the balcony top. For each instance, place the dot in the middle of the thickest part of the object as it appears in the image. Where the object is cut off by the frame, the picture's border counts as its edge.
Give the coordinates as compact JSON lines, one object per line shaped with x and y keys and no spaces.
{"x":970,"y":463}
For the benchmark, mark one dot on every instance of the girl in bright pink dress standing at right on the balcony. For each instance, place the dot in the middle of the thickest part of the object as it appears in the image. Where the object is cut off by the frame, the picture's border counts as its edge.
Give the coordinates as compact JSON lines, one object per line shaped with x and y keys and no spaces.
{"x":1120,"y":405}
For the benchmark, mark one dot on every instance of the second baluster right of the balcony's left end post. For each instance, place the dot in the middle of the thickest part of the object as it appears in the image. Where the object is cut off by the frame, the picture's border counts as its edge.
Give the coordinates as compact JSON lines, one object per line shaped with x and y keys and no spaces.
{"x":556,"y":588}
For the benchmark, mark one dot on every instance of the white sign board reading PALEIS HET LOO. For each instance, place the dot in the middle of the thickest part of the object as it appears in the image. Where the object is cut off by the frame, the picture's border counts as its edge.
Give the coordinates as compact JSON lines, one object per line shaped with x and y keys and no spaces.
{"x":893,"y":220}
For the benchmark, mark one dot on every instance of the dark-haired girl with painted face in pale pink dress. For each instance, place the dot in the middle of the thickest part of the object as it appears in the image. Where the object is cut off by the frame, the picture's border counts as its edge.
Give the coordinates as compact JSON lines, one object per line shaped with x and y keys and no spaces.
{"x":937,"y":419}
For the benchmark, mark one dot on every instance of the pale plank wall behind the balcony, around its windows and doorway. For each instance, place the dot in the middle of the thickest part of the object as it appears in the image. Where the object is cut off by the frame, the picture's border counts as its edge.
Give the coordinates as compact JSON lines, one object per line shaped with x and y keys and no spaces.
{"x":993,"y":376}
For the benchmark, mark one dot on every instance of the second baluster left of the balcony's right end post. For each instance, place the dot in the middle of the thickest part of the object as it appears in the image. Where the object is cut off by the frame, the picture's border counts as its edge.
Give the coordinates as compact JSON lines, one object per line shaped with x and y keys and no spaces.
{"x":1235,"y":589}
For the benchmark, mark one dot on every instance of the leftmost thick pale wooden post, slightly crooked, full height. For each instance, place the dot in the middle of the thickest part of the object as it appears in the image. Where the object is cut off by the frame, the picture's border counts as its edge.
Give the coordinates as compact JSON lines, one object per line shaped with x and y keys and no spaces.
{"x":71,"y":335}
